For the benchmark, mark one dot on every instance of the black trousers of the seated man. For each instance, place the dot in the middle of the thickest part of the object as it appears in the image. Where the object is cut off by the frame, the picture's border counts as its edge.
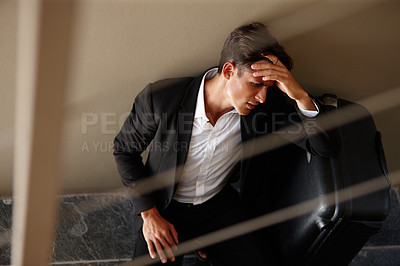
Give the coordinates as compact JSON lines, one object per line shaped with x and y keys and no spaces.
{"x":222,"y":210}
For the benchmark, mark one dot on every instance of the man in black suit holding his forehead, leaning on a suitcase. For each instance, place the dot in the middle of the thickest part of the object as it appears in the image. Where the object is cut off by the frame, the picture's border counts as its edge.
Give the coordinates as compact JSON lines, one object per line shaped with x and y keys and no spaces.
{"x":193,"y":124}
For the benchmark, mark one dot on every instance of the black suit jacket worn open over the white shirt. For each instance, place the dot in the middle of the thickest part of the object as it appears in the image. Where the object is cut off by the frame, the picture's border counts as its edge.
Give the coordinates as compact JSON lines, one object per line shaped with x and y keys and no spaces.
{"x":161,"y":121}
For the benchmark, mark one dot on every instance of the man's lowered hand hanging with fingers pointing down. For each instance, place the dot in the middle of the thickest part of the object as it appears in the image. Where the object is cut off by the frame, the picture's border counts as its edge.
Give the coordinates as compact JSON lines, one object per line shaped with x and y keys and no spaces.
{"x":159,"y":233}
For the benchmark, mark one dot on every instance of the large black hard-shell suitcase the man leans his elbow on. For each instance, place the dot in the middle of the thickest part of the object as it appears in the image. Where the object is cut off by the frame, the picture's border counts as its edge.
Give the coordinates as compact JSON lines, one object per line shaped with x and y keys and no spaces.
{"x":332,"y":234}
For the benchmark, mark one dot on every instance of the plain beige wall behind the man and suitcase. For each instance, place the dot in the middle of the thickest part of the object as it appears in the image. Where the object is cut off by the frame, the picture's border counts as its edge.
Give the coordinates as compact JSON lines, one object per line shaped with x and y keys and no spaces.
{"x":350,"y":49}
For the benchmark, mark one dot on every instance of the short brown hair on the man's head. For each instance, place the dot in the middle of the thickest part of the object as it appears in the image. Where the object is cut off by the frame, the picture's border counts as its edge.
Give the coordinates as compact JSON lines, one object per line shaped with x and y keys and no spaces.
{"x":246,"y":44}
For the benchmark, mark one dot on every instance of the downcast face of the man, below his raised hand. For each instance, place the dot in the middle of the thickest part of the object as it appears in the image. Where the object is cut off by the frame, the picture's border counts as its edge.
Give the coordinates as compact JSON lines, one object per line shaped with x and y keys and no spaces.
{"x":247,"y":91}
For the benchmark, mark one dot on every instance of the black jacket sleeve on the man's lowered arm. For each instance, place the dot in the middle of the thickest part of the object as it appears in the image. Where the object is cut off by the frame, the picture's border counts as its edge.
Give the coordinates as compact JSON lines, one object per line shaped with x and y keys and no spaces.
{"x":136,"y":134}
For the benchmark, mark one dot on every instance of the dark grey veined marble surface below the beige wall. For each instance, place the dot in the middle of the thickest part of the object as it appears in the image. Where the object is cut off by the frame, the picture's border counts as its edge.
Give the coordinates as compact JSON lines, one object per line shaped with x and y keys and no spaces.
{"x":96,"y":230}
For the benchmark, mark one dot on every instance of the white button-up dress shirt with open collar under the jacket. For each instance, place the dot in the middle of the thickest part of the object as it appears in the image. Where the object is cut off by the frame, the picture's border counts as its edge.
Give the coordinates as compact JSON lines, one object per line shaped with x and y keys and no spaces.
{"x":207,"y":166}
